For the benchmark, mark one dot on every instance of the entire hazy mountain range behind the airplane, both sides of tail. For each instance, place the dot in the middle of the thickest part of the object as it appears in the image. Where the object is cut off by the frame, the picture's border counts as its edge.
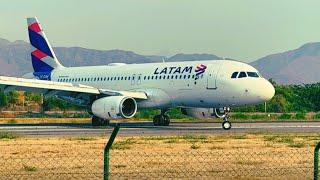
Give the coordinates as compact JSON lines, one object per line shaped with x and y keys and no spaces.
{"x":297,"y":66}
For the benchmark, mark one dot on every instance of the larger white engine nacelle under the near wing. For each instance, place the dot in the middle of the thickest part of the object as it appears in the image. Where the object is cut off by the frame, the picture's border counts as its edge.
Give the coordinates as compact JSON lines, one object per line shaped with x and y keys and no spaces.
{"x":114,"y":107}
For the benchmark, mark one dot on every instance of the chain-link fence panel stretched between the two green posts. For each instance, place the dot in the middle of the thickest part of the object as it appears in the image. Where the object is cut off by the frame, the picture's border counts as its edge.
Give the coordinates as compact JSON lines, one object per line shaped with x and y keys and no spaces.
{"x":214,"y":164}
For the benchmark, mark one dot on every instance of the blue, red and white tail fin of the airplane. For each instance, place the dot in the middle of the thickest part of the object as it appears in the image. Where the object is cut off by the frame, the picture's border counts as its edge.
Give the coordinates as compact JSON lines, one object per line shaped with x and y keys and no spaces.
{"x":43,"y":58}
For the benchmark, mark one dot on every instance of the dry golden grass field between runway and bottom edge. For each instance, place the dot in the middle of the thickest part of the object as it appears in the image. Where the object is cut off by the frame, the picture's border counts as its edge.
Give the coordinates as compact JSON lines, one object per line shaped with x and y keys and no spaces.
{"x":174,"y":157}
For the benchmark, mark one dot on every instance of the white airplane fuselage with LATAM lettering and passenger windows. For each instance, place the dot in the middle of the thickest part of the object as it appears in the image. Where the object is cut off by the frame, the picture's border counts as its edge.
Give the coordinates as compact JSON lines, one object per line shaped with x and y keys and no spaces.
{"x":175,"y":84}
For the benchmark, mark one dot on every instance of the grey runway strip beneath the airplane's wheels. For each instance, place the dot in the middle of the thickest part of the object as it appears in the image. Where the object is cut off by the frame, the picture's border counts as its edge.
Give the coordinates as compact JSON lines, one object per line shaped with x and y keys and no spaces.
{"x":147,"y":128}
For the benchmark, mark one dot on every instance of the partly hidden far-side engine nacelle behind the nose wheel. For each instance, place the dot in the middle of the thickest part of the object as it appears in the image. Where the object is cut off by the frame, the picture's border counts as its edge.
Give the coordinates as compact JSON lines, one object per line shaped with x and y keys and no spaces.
{"x":204,"y":113}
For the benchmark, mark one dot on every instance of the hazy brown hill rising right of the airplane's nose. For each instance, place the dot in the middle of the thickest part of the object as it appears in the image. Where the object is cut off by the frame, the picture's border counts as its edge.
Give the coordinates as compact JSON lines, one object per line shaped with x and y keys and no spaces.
{"x":297,"y":66}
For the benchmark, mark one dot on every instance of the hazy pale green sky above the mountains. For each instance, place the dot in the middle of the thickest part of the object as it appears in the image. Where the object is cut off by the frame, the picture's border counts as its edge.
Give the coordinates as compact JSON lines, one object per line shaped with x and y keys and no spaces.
{"x":240,"y":29}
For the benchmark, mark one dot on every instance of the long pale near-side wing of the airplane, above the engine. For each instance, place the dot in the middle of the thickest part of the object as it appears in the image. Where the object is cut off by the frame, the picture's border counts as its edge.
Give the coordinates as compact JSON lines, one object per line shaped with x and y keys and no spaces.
{"x":50,"y":88}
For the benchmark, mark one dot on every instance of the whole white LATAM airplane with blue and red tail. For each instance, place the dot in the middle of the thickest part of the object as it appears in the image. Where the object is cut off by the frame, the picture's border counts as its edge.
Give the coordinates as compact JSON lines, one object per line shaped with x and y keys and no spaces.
{"x":202,"y":89}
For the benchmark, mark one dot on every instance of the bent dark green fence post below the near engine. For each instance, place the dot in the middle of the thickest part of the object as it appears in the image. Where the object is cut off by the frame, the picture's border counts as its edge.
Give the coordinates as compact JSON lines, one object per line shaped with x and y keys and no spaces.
{"x":106,"y":152}
